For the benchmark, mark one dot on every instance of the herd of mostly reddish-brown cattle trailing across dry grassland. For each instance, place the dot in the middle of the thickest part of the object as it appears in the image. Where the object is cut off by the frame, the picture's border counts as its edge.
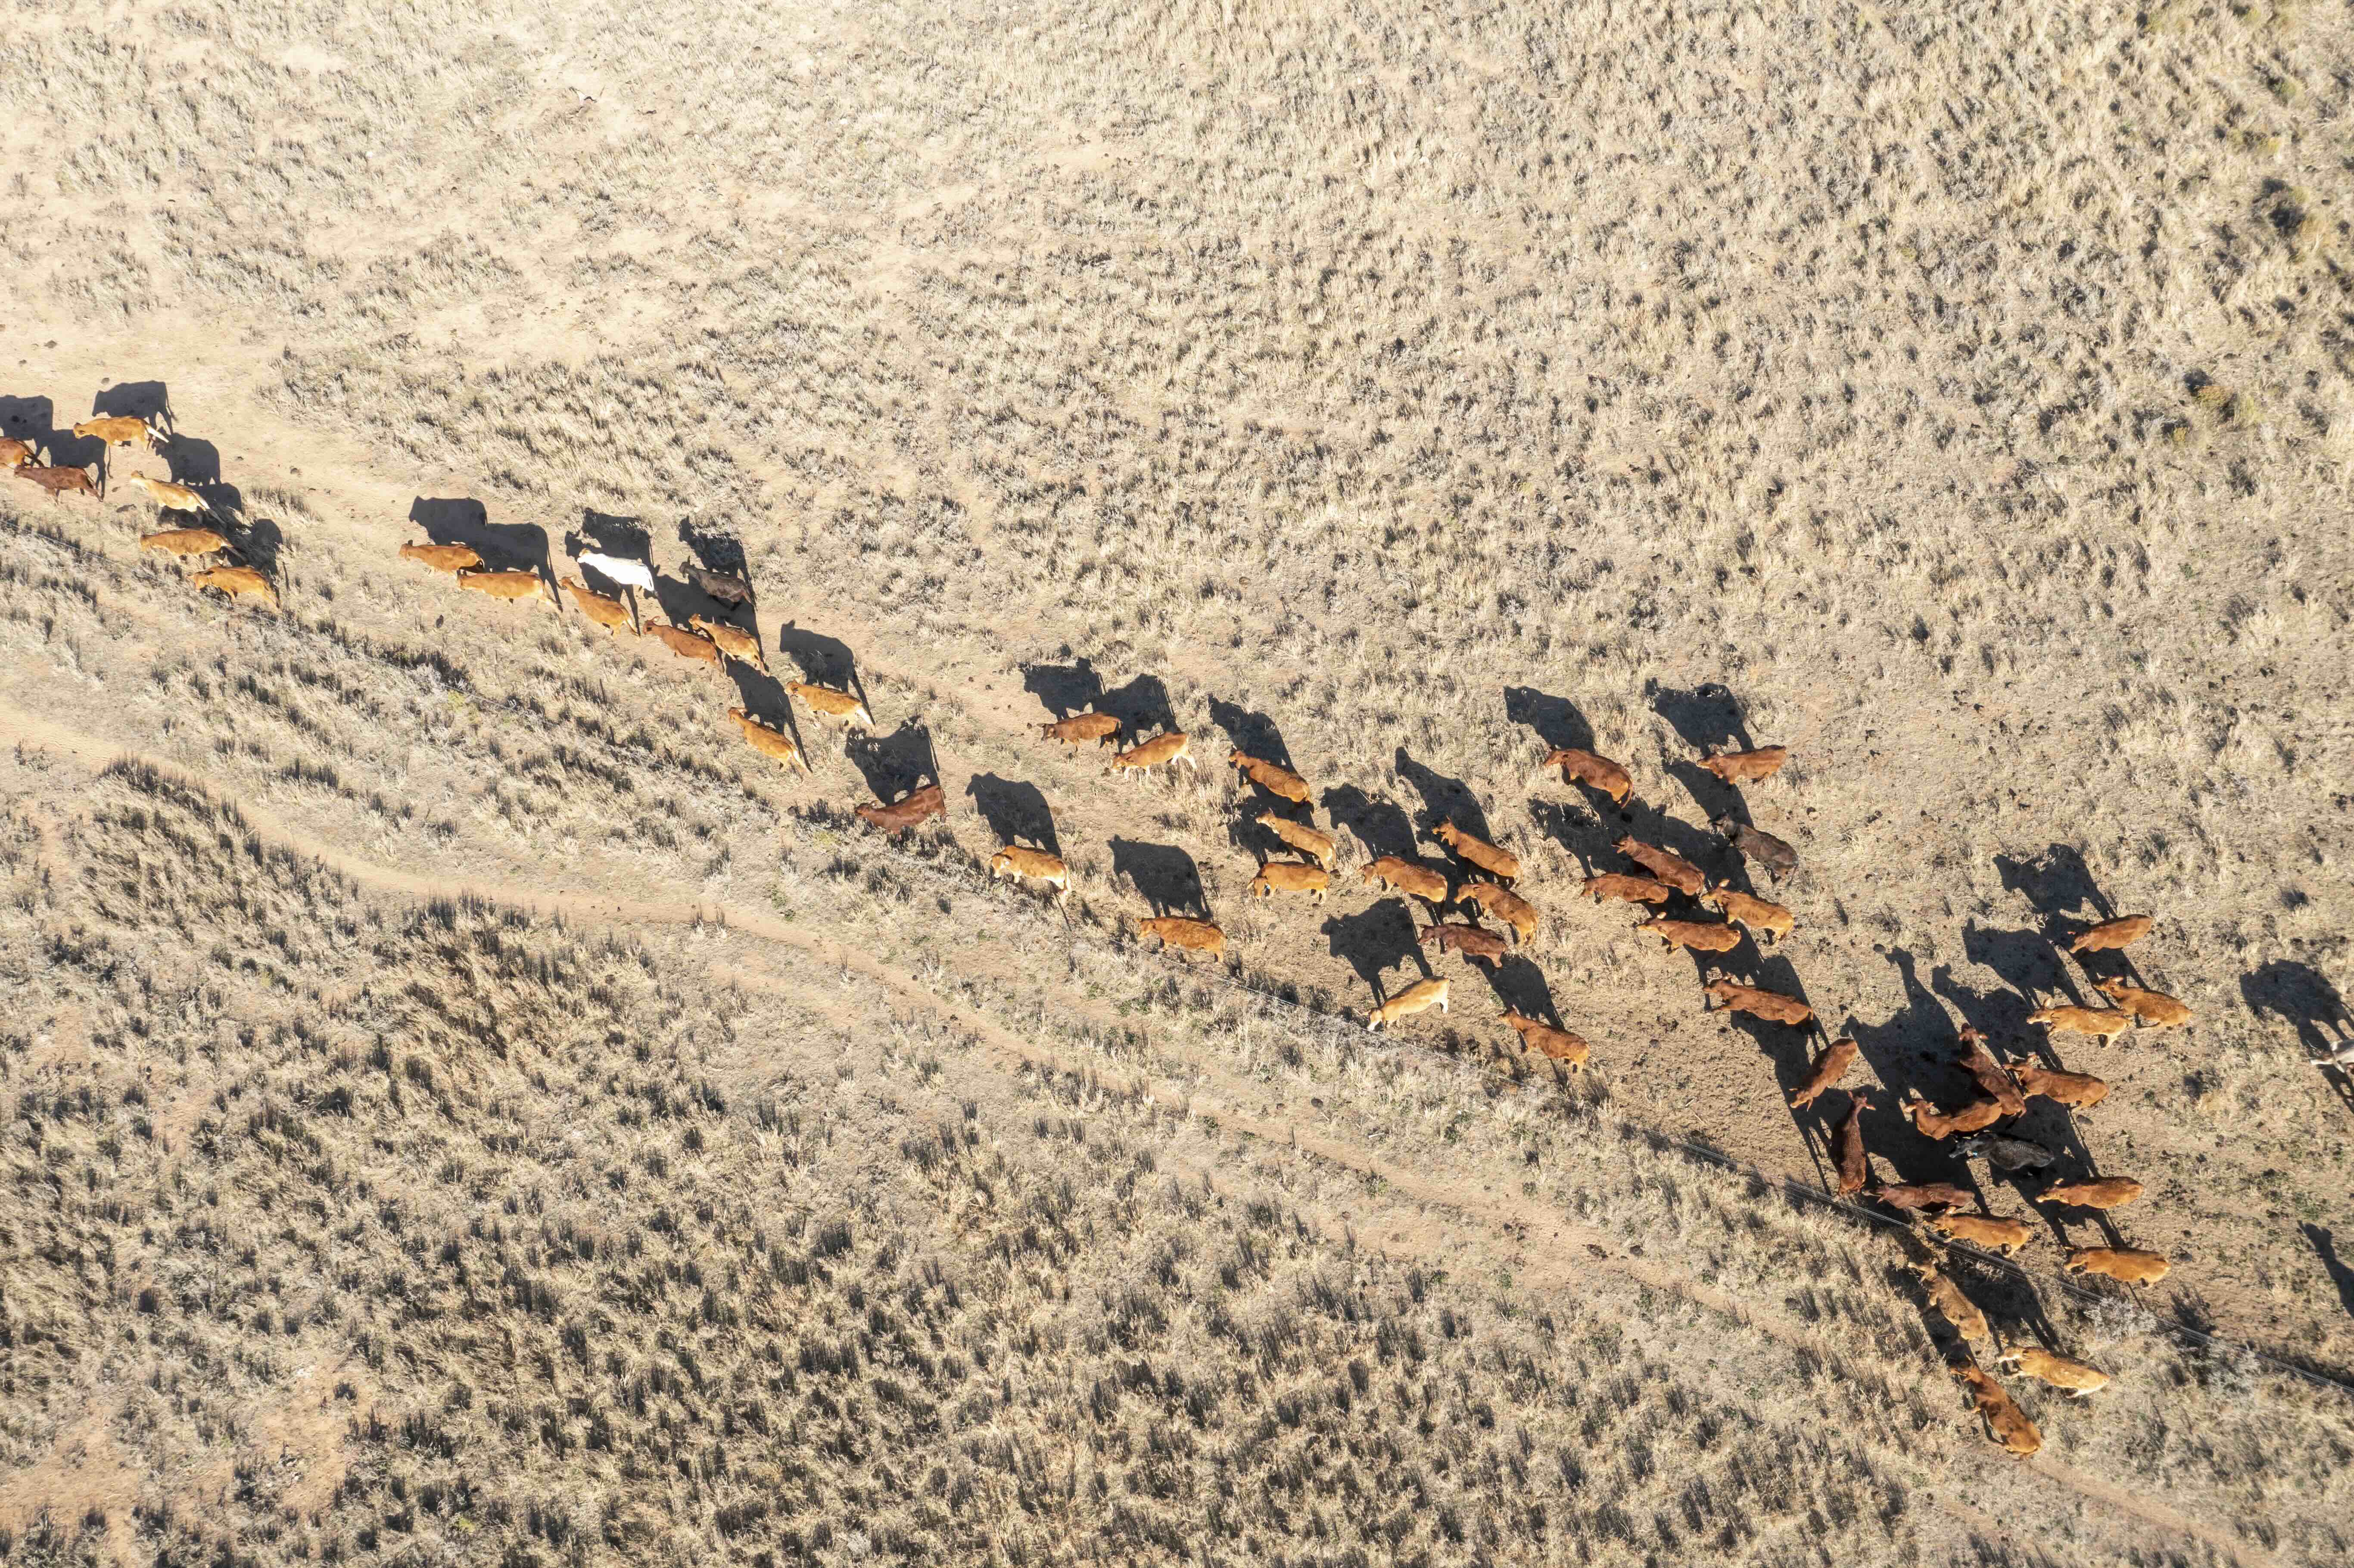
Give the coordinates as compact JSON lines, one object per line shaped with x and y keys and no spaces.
{"x":1482,"y":882}
